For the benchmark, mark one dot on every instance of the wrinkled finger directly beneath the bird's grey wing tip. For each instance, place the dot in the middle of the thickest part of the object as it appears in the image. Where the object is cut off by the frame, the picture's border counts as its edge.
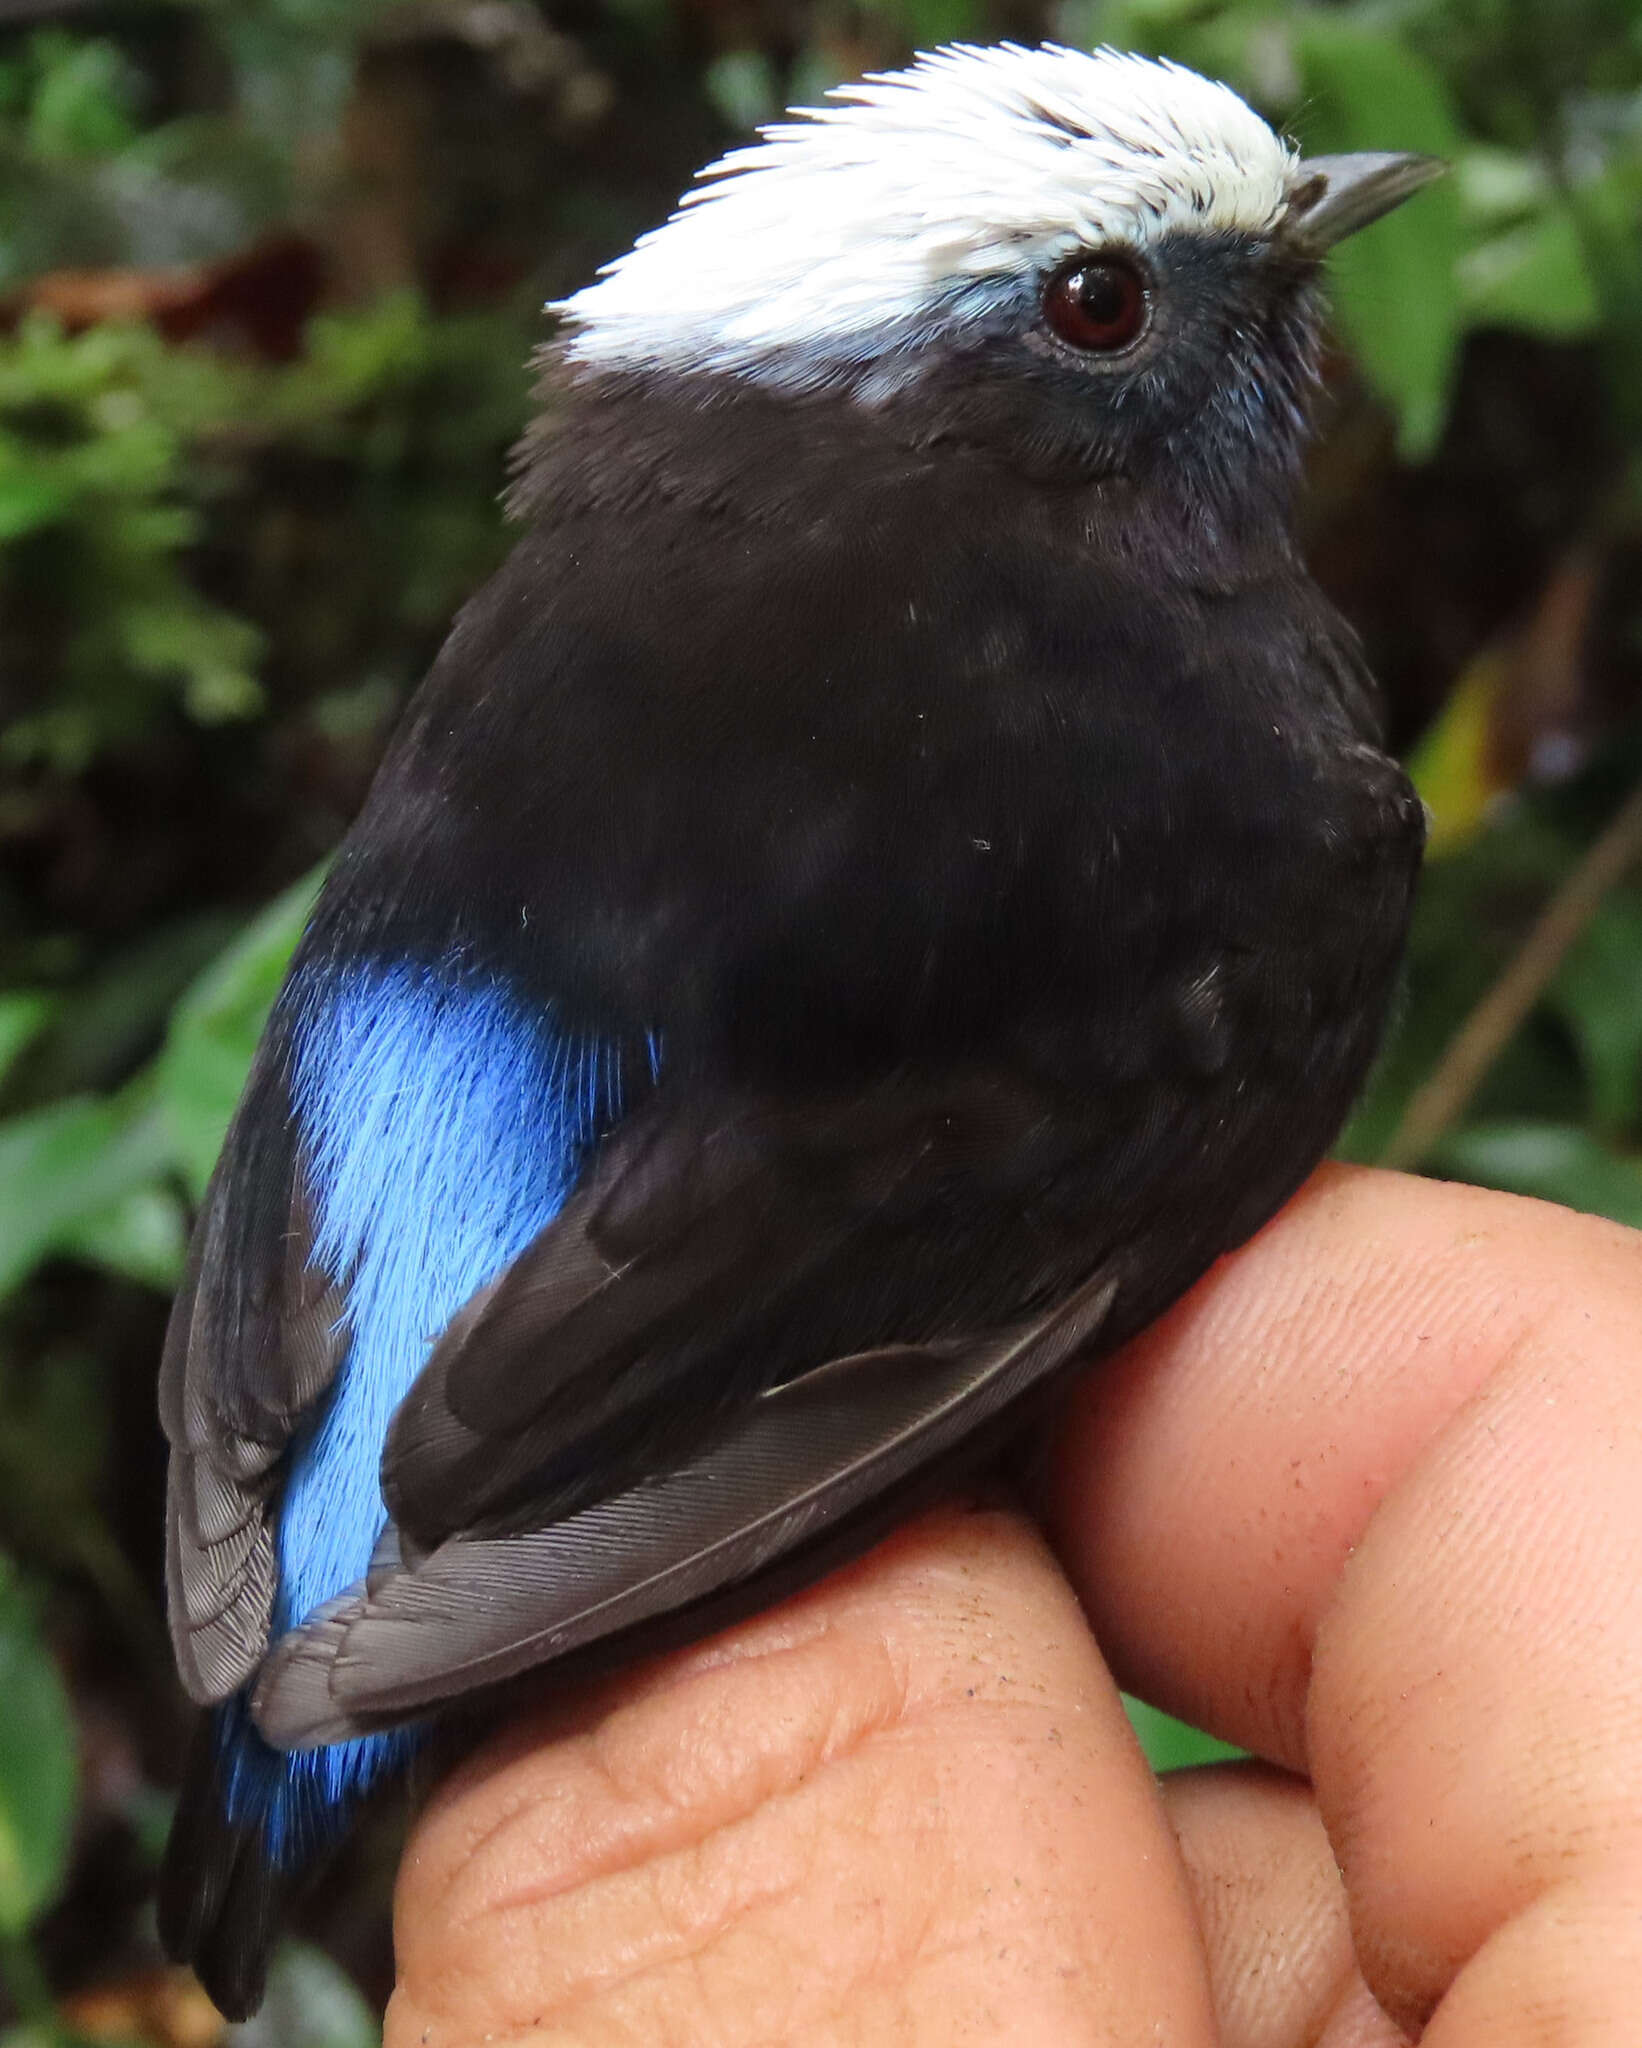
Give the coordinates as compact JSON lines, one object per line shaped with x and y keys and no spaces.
{"x":902,"y":1809}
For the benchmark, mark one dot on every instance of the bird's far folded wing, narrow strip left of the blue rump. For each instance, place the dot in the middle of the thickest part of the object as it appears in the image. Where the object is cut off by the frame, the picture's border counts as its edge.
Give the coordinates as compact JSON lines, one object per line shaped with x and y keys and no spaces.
{"x":253,"y":1345}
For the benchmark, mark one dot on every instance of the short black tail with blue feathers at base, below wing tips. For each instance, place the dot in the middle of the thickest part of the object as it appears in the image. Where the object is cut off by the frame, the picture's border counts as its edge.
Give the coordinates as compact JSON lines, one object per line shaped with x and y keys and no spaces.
{"x":253,"y":1826}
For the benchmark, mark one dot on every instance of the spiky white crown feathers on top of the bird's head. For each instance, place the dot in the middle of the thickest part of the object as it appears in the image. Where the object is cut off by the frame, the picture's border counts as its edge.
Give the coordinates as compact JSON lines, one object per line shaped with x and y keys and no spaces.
{"x":857,"y":218}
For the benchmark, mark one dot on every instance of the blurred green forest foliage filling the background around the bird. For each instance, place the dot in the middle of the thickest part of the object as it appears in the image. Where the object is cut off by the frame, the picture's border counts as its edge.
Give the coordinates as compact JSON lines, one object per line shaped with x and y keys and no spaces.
{"x":267,"y":286}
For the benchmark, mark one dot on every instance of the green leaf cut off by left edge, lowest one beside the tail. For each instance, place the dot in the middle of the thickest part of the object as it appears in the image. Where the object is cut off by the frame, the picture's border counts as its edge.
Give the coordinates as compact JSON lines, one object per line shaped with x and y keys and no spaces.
{"x":38,"y":1764}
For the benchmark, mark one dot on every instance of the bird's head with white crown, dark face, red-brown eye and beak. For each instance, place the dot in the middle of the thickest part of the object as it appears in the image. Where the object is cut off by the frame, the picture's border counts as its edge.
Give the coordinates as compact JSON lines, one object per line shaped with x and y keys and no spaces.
{"x":1100,"y":265}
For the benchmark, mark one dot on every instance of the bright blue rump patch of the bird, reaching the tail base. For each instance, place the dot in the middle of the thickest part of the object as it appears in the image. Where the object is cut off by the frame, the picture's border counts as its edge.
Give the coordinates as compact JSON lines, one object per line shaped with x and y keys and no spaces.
{"x":441,"y":1127}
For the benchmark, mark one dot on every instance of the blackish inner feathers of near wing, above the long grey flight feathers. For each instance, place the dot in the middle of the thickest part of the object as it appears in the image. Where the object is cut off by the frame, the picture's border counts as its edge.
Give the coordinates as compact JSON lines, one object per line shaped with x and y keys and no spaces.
{"x":648,"y":1310}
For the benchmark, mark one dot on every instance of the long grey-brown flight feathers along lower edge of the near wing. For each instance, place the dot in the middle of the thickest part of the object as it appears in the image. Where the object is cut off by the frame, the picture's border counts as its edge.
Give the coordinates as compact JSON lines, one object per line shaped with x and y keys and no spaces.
{"x":793,"y":1480}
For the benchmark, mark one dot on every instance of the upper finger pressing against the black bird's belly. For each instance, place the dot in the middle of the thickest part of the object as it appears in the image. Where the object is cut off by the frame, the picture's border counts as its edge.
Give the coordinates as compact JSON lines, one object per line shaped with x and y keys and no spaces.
{"x":1213,"y":1482}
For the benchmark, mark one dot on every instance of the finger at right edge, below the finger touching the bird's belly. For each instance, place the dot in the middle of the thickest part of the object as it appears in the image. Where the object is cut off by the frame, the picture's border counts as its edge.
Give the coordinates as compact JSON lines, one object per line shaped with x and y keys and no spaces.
{"x":1477,"y":1701}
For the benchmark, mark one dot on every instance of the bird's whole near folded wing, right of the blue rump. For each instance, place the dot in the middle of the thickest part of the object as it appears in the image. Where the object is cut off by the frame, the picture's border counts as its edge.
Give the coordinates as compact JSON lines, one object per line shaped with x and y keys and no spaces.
{"x":580,"y":1459}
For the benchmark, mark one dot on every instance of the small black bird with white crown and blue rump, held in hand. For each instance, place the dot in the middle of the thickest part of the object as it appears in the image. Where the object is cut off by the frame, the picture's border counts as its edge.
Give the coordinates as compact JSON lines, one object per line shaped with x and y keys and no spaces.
{"x":890,"y":882}
